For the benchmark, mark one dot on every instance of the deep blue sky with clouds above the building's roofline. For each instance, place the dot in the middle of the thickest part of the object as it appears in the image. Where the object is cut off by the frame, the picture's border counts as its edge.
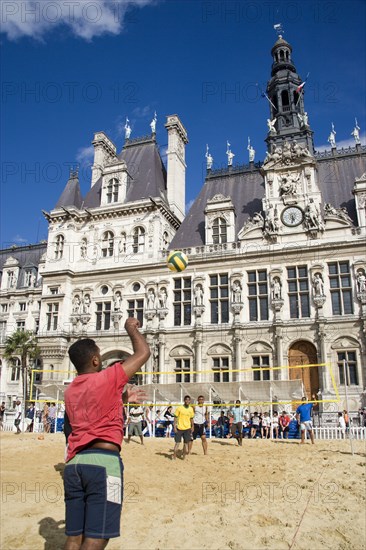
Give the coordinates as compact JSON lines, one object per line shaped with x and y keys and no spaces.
{"x":72,"y":68}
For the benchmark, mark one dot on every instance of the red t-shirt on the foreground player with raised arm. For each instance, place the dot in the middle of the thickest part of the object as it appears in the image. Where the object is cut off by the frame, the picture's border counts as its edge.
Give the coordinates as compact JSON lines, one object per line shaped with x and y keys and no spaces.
{"x":95,"y":409}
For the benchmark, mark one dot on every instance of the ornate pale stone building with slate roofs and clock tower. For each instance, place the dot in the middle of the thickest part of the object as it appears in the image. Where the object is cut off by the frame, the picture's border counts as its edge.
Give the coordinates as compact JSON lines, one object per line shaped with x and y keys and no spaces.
{"x":277,"y":265}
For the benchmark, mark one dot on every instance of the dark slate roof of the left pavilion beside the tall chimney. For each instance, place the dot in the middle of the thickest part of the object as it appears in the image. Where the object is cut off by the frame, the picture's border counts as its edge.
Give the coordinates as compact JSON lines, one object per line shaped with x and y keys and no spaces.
{"x":147,"y":171}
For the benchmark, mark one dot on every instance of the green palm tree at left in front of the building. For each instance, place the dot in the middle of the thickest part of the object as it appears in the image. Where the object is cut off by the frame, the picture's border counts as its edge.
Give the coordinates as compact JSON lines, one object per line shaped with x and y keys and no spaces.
{"x":23,"y":344}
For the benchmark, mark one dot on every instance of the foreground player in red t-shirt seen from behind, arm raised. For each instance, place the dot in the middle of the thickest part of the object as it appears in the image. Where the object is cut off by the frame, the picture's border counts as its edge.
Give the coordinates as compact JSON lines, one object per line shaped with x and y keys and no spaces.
{"x":93,"y":476}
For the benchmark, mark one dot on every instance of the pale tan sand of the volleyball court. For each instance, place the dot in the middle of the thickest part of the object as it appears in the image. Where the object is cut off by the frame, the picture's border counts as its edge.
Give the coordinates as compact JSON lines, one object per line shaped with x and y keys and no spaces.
{"x":264,"y":495}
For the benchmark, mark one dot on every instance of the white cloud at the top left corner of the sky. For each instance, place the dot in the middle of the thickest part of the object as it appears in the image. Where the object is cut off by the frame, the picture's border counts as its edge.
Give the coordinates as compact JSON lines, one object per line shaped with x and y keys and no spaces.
{"x":85,"y":18}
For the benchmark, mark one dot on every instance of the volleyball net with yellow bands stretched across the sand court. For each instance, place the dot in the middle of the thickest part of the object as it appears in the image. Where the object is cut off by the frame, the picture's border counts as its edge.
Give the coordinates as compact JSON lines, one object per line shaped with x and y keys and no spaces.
{"x":286,"y":386}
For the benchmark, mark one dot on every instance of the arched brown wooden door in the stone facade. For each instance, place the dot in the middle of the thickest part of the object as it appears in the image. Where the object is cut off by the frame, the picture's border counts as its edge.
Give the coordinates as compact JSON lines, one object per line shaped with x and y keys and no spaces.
{"x":304,"y":353}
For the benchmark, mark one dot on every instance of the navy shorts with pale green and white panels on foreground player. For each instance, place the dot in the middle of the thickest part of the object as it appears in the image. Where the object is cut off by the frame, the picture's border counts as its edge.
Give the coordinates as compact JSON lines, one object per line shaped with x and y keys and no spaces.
{"x":93,"y":482}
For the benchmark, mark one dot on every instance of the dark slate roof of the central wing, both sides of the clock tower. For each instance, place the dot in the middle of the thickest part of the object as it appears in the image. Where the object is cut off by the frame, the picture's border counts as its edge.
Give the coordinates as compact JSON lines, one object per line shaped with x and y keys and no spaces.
{"x":246,"y":190}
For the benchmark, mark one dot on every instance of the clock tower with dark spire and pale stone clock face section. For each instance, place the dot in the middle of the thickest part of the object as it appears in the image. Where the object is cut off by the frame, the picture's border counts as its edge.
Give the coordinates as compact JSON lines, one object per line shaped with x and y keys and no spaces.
{"x":292,"y":202}
